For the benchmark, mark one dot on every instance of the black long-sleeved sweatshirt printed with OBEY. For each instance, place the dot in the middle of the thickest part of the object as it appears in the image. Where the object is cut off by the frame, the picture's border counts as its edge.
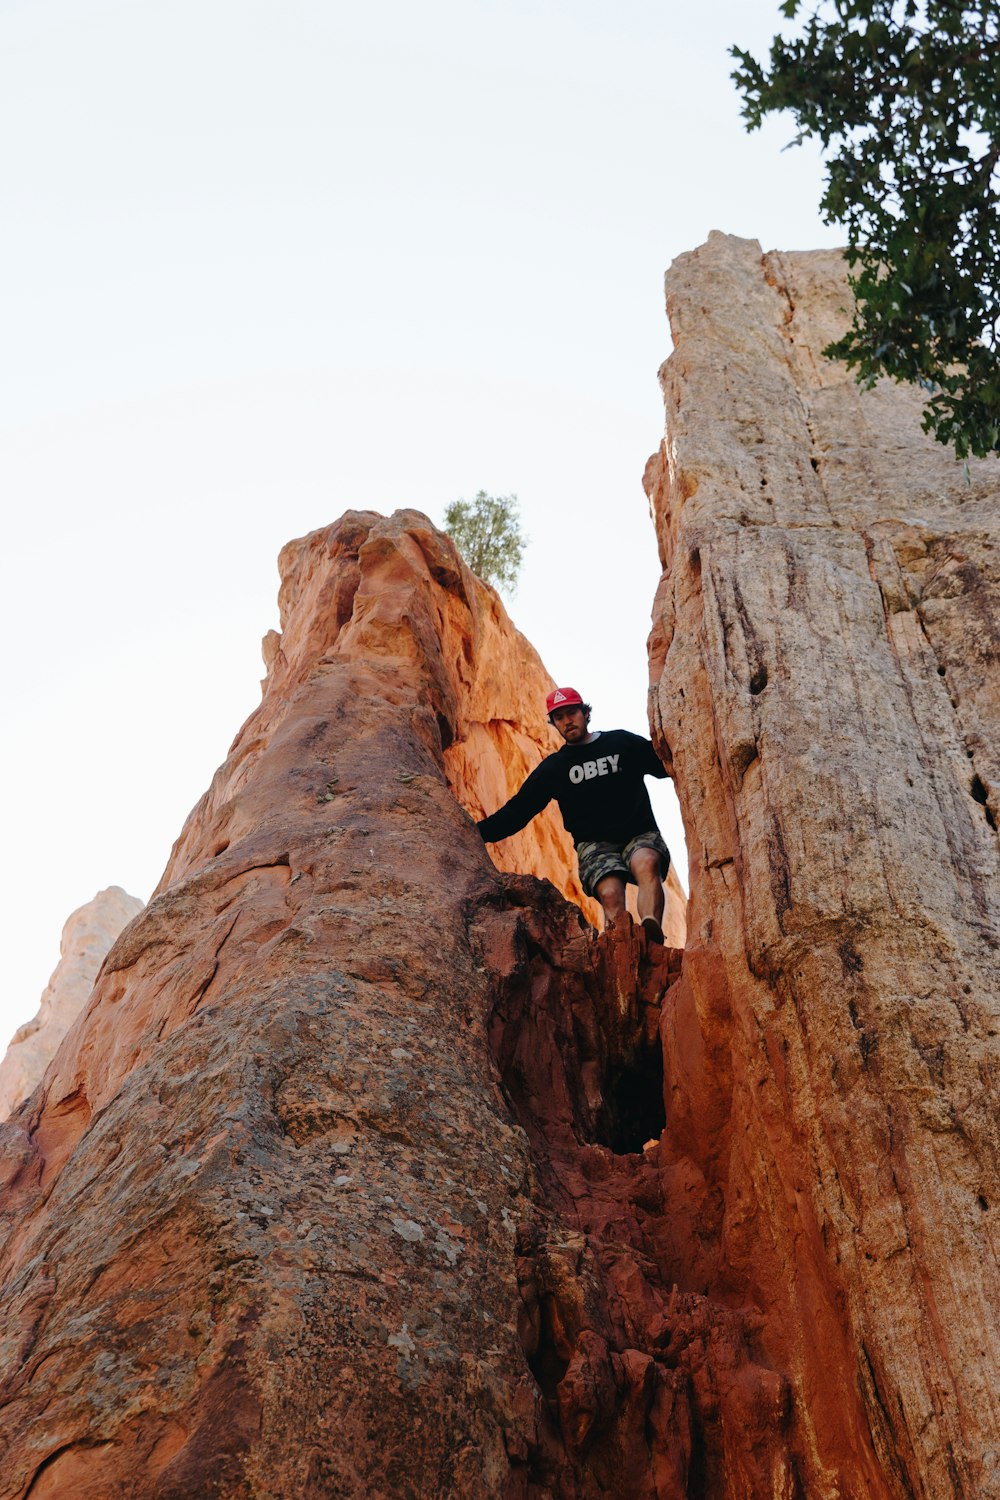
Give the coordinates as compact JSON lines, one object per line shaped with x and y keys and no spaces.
{"x":599,"y":788}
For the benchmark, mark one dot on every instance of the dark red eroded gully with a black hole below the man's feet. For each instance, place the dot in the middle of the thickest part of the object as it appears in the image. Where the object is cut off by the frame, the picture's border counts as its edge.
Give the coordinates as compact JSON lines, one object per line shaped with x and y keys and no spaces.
{"x":641,"y":1384}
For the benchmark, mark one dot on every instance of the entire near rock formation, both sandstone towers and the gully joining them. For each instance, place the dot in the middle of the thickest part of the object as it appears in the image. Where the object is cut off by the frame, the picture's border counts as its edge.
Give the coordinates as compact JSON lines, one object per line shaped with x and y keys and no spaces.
{"x":373,"y":1171}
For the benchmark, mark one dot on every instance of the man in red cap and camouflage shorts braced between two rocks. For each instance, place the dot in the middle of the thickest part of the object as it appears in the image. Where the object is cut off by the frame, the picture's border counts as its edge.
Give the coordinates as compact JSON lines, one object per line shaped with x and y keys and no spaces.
{"x":597,"y":781}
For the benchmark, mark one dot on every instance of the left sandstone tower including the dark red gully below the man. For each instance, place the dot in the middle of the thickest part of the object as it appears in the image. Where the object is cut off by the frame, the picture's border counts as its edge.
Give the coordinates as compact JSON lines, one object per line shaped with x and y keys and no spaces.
{"x":338,"y":1184}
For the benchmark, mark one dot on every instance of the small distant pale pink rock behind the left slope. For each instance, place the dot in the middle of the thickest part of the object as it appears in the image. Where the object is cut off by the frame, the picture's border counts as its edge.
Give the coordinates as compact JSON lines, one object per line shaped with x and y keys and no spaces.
{"x":88,"y":935}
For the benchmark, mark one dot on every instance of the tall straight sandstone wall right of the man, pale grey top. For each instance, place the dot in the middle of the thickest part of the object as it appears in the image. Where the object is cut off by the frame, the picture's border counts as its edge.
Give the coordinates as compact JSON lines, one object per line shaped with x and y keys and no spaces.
{"x":827,"y":682}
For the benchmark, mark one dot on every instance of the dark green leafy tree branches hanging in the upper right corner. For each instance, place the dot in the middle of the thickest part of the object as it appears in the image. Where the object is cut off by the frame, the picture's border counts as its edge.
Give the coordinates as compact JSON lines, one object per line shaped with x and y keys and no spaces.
{"x":905,"y":97}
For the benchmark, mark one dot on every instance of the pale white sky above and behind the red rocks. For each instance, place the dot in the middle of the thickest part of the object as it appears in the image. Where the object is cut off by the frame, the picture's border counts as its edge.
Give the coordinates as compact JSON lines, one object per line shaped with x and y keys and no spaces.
{"x":266,"y":262}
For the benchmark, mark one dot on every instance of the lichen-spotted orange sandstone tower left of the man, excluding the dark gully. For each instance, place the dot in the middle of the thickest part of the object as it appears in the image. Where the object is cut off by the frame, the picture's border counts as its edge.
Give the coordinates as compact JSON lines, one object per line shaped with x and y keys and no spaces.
{"x":259,"y":1223}
